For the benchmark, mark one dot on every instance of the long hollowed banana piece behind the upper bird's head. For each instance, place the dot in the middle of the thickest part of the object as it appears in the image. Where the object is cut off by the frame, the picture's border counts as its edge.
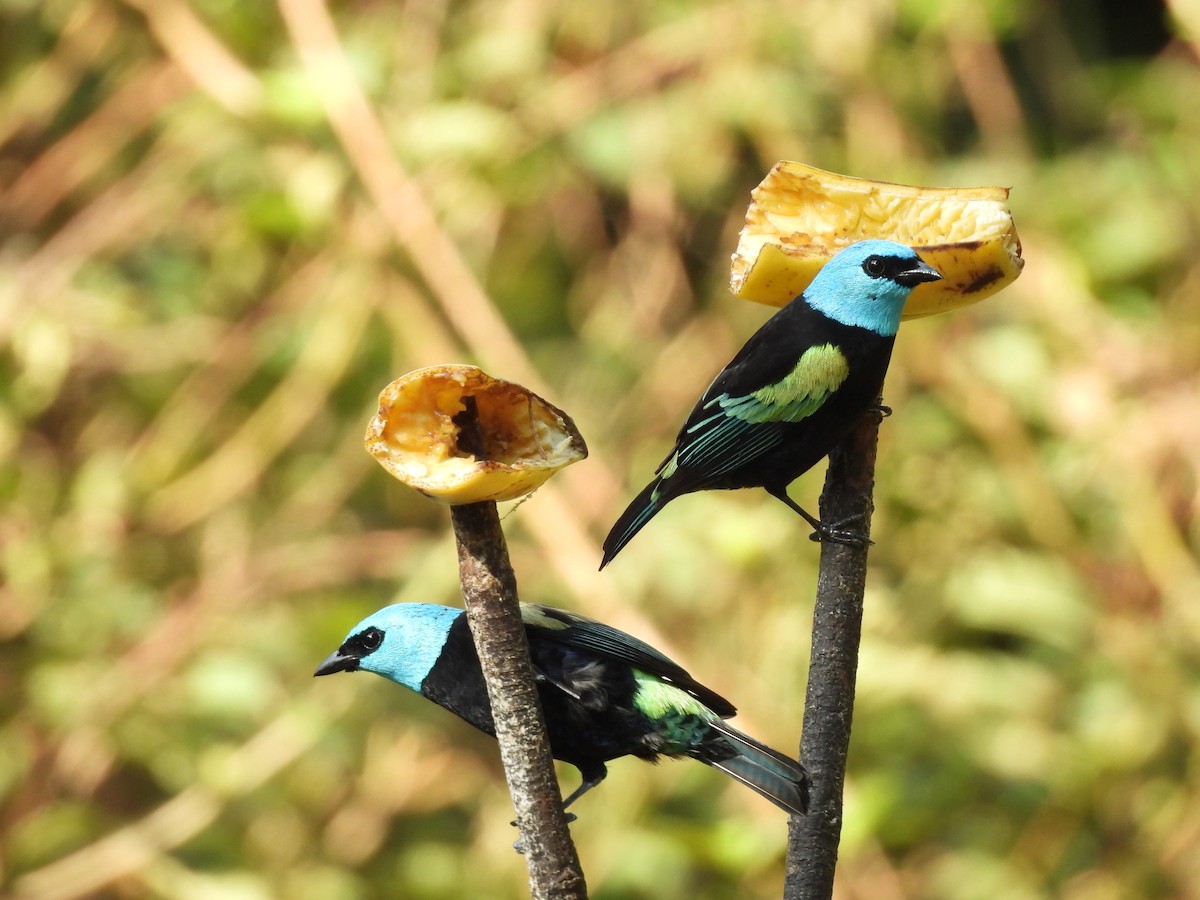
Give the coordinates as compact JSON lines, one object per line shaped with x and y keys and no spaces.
{"x":801,"y":217}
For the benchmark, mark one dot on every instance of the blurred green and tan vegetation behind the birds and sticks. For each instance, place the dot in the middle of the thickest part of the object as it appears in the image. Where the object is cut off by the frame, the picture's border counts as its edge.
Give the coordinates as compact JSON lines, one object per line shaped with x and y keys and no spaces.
{"x":229,"y":225}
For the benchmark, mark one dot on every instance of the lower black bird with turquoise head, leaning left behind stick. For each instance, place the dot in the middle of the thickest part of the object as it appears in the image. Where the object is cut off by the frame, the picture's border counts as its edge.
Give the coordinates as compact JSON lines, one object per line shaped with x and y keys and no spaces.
{"x":605,"y":694}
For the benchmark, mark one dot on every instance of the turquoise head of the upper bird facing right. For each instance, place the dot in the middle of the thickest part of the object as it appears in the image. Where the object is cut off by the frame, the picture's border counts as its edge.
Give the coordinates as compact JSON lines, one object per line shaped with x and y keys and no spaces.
{"x":868,"y":284}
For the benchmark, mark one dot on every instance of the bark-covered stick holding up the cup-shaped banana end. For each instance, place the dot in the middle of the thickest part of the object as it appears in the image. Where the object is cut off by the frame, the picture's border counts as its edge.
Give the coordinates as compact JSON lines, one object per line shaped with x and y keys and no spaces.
{"x":494,"y":614}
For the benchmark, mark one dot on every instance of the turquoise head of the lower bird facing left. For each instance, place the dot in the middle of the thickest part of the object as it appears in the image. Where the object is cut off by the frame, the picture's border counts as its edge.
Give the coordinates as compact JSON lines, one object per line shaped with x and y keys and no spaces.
{"x":400,"y":643}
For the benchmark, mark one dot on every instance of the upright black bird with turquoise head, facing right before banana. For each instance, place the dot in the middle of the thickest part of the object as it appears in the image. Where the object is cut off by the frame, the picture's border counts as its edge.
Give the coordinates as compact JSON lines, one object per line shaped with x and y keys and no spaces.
{"x":794,"y":391}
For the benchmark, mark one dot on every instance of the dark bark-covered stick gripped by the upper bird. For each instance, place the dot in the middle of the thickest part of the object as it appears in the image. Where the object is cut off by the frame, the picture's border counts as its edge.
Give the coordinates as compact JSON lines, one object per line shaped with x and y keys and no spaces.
{"x":830,"y":703}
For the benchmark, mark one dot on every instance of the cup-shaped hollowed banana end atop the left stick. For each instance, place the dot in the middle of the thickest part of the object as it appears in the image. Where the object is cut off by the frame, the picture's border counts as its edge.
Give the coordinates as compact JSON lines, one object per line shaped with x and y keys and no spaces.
{"x":418,"y":436}
